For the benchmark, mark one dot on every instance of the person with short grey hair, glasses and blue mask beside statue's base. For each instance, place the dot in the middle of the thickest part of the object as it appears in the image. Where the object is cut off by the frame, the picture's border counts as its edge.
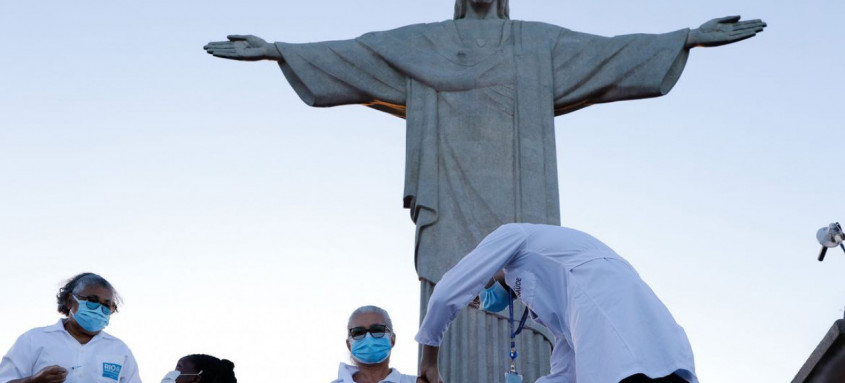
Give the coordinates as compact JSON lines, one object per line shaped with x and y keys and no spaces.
{"x":370,"y":339}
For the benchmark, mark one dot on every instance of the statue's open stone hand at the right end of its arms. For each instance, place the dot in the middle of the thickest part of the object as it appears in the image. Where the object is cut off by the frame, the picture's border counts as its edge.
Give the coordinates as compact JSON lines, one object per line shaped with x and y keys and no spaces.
{"x":723,"y":30}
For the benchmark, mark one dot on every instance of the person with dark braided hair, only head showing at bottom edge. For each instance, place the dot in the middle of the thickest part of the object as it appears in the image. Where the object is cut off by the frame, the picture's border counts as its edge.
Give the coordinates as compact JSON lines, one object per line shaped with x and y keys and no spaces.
{"x":202,"y":368}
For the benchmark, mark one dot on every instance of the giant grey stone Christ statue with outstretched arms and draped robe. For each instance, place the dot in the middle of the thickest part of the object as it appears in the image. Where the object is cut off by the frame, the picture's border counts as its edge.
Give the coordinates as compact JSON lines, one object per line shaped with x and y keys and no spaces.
{"x":479,"y":94}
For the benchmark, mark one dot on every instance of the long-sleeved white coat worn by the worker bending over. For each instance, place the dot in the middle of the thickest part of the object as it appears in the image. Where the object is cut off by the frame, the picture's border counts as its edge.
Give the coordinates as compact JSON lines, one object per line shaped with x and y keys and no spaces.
{"x":607,"y":322}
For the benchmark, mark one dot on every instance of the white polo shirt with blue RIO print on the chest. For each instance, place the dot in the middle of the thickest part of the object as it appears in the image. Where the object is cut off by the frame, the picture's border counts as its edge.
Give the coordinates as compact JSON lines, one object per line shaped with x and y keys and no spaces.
{"x":104,"y":359}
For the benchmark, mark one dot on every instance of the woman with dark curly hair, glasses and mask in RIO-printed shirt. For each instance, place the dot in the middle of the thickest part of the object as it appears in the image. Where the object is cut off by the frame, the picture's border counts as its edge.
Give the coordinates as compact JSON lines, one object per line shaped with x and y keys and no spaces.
{"x":76,"y":349}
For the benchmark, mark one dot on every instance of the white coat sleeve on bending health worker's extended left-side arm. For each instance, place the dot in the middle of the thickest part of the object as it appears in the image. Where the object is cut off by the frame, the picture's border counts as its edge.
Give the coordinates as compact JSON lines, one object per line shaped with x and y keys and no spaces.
{"x":464,"y":281}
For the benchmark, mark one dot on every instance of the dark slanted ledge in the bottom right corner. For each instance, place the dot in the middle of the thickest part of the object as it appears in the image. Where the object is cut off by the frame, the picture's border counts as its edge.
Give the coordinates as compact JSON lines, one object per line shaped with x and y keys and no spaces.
{"x":827,"y":362}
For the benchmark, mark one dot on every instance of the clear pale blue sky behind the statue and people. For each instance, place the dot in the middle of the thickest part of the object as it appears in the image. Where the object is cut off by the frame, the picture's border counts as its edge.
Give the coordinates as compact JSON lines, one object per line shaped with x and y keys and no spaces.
{"x":237,"y":221}
